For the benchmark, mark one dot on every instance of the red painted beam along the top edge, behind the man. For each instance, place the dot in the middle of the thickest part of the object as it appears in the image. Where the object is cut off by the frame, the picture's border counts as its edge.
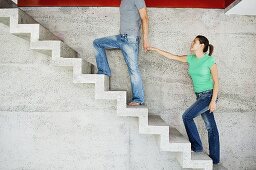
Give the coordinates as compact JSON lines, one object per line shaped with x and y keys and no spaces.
{"x":116,"y":3}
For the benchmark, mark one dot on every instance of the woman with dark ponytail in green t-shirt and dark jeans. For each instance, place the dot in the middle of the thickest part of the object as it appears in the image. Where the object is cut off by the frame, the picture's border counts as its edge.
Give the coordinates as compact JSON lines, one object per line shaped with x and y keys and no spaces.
{"x":204,"y":74}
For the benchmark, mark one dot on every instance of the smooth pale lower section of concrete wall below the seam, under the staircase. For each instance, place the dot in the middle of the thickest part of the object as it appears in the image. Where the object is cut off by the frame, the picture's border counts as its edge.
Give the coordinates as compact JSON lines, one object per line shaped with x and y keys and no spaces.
{"x":92,"y":139}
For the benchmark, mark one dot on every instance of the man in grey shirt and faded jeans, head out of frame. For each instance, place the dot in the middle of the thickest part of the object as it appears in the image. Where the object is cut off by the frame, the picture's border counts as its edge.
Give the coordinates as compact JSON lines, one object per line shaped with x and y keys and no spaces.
{"x":133,"y":13}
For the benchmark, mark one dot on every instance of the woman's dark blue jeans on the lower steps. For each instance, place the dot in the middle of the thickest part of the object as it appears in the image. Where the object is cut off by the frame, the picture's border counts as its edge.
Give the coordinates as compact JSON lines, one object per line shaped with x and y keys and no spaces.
{"x":200,"y":107}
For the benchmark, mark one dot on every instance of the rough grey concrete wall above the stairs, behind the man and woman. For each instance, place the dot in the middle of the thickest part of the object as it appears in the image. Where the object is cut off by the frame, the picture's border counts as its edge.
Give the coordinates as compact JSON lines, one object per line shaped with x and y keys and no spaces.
{"x":168,"y":88}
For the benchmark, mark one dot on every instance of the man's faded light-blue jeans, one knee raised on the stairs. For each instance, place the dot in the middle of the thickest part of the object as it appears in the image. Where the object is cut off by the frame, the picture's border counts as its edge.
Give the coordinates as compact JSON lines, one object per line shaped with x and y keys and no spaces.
{"x":129,"y":45}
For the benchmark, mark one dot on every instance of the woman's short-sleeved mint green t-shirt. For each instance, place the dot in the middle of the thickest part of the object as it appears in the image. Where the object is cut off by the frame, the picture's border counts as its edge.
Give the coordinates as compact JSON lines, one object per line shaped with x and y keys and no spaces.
{"x":200,"y":72}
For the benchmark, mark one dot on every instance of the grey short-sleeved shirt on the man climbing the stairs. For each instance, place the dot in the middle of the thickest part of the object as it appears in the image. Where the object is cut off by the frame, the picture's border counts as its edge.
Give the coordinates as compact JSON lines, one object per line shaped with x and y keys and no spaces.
{"x":130,"y":21}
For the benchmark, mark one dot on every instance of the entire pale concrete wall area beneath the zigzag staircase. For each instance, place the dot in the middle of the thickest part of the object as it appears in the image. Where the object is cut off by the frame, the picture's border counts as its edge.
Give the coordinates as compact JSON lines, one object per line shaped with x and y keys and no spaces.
{"x":47,"y":122}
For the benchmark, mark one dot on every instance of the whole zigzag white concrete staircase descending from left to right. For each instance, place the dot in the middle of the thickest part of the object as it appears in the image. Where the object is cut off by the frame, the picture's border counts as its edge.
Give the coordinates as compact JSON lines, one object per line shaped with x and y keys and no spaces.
{"x":170,"y":139}
